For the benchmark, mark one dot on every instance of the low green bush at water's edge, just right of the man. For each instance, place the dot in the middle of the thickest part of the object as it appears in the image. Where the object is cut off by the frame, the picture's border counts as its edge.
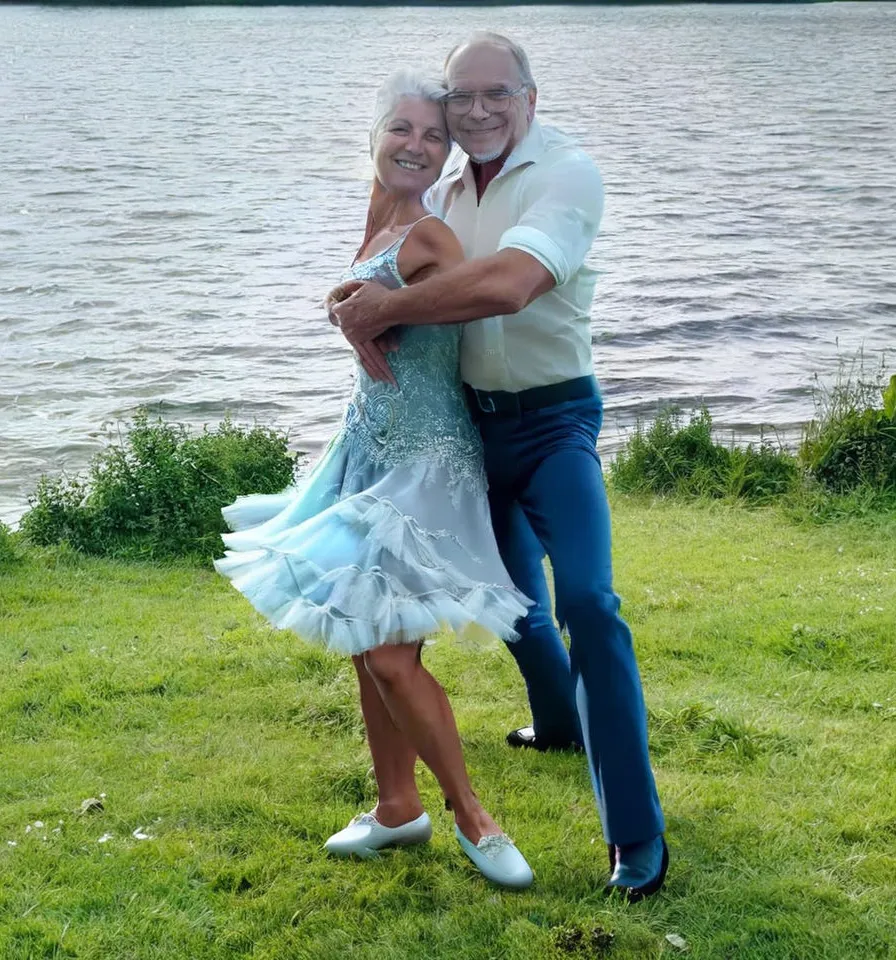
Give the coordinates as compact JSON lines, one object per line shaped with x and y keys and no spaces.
{"x":670,"y":457}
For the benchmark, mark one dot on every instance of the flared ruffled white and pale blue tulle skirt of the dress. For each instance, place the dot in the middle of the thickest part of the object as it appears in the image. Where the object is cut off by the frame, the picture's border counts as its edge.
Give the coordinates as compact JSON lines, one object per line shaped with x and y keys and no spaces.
{"x":394,"y":562}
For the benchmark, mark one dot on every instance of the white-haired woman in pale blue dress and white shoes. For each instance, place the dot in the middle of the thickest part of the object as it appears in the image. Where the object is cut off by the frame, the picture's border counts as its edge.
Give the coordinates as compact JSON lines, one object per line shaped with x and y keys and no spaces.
{"x":389,"y":538}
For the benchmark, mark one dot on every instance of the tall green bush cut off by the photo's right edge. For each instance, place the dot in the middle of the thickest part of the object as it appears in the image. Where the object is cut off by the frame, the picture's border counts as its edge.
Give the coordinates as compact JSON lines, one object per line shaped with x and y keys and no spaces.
{"x":852,"y":445}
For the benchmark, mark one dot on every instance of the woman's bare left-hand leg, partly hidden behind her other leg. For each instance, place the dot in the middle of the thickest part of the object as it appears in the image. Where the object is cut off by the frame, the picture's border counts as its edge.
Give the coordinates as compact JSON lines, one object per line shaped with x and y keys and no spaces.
{"x":393,"y":755}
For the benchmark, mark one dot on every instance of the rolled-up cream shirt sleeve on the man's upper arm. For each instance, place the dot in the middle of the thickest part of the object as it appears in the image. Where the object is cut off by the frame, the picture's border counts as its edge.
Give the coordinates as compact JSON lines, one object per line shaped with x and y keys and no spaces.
{"x":562,"y":207}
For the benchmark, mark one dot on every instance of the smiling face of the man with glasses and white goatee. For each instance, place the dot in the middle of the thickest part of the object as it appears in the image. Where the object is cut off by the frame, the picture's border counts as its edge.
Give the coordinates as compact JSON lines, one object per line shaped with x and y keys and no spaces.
{"x":486,"y":133}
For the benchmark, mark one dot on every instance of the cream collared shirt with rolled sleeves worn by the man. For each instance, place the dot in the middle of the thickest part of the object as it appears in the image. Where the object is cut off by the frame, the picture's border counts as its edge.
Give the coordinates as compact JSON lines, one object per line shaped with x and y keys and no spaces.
{"x":547,"y":201}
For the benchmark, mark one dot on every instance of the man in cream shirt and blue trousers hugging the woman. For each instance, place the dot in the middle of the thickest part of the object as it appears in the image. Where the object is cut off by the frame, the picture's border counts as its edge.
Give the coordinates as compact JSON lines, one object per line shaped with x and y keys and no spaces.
{"x":526,"y":204}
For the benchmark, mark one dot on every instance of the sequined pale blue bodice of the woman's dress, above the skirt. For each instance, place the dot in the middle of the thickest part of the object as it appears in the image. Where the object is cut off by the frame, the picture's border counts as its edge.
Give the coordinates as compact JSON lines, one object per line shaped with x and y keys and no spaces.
{"x":425,"y":417}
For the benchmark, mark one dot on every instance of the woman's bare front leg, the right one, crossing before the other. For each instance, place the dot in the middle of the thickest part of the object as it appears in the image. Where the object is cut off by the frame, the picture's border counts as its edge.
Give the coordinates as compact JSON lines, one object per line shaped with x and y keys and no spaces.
{"x":421,"y":711}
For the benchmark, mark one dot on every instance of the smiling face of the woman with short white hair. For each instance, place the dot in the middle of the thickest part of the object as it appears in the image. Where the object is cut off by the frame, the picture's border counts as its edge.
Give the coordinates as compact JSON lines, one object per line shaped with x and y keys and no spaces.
{"x":413,"y":146}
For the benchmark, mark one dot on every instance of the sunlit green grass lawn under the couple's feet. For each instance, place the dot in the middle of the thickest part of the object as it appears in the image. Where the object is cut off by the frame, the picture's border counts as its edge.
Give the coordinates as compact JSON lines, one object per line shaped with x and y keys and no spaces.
{"x":768,"y":652}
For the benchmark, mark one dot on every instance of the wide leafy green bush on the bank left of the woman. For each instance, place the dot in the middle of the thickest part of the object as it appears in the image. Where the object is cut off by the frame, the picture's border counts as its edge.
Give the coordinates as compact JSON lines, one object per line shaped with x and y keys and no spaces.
{"x":159,"y":491}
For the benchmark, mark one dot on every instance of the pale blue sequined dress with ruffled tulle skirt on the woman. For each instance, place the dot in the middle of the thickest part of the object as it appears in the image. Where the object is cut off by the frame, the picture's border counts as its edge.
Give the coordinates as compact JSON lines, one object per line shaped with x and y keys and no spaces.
{"x":389,"y":538}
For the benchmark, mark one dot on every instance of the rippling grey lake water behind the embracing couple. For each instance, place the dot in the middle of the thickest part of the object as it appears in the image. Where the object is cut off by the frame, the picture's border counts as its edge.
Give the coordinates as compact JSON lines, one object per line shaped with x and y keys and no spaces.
{"x":180,"y":187}
